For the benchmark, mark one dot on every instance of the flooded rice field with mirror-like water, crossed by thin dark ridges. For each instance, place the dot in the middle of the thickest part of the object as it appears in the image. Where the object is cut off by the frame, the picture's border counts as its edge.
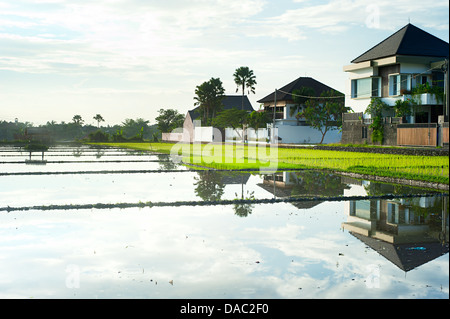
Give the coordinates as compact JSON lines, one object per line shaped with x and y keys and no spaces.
{"x":210,"y":234}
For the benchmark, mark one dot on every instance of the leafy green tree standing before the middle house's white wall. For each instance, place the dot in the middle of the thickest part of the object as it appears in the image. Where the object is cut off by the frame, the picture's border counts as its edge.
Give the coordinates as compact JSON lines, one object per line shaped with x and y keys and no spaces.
{"x":325,"y":113}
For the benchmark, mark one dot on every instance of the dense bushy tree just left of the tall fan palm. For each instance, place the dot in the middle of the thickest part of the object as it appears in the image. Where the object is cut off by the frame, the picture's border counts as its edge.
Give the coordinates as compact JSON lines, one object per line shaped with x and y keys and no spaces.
{"x":209,"y":96}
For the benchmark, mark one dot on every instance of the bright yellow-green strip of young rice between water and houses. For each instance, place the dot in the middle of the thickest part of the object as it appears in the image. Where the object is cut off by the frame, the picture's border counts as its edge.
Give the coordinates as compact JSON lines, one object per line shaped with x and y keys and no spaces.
{"x":423,"y":168}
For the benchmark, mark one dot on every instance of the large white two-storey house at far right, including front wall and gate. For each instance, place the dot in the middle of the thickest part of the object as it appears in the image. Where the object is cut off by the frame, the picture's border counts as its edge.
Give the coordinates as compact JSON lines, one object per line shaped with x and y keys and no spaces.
{"x":407,"y":67}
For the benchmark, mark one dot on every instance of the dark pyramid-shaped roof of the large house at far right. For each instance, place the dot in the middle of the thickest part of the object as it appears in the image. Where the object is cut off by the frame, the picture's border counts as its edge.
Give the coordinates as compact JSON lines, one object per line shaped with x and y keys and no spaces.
{"x":410,"y":40}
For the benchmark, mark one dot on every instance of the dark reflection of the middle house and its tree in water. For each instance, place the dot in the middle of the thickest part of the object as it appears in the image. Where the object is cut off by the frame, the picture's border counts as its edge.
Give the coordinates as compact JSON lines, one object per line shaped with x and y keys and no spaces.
{"x":306,"y":183}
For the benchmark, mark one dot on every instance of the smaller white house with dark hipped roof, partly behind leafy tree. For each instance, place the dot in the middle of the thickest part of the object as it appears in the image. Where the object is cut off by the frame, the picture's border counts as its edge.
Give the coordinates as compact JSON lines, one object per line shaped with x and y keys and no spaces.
{"x":290,"y":128}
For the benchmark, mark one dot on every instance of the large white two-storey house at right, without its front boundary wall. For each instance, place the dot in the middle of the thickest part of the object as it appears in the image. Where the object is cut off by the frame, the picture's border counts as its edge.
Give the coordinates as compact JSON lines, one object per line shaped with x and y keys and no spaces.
{"x":393,"y":68}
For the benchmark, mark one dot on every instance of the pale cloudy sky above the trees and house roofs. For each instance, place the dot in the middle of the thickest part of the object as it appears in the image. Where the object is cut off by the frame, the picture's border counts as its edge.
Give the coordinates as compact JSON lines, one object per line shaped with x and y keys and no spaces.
{"x":126,"y":59}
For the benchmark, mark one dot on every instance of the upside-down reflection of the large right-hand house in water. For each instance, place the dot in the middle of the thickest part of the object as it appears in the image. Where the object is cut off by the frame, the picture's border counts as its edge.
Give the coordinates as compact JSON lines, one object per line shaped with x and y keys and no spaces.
{"x":408,"y":232}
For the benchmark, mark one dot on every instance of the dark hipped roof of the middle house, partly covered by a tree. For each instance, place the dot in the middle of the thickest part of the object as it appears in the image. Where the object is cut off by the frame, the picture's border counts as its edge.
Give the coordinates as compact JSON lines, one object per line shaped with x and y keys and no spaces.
{"x":284,"y":93}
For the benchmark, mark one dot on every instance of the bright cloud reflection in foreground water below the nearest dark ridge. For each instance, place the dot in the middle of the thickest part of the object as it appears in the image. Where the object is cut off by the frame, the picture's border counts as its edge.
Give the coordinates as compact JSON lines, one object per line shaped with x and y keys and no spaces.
{"x":206,"y":251}
